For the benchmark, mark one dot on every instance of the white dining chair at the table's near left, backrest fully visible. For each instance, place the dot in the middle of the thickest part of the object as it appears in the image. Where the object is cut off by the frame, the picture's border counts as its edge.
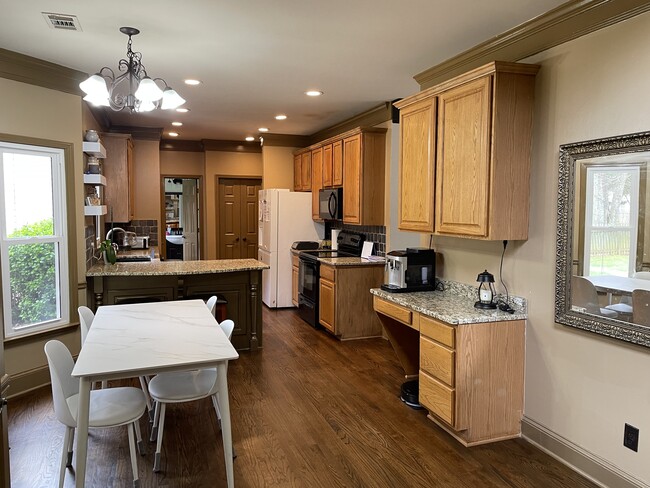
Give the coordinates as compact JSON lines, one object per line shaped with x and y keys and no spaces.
{"x":110,"y":407}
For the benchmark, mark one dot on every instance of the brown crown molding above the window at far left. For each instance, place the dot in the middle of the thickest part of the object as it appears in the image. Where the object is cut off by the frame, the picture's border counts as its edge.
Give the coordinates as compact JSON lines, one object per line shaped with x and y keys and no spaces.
{"x":26,"y":69}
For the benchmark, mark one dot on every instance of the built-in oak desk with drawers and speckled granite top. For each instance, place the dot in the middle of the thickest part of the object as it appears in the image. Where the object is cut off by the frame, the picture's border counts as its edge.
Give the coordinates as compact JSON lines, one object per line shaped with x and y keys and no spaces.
{"x":469,"y":362}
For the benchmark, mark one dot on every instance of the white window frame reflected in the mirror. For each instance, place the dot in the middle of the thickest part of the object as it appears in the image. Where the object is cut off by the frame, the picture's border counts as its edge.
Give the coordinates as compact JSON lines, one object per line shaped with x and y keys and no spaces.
{"x":633,"y":228}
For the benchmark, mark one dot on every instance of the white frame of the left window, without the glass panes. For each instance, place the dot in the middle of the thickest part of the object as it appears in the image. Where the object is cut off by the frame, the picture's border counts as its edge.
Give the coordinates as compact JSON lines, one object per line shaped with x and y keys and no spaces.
{"x":60,"y":239}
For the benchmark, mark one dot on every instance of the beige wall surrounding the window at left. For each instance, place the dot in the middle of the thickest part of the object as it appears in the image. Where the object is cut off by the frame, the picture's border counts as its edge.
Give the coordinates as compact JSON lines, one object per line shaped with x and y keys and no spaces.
{"x":37,"y":112}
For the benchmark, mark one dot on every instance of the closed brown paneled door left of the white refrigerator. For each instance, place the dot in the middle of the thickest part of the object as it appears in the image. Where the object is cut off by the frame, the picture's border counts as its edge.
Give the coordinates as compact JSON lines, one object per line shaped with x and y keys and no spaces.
{"x":237,"y":214}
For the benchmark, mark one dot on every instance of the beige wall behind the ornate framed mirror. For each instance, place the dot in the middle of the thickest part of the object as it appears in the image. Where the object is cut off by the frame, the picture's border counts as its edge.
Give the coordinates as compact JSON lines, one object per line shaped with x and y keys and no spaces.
{"x":581,"y":387}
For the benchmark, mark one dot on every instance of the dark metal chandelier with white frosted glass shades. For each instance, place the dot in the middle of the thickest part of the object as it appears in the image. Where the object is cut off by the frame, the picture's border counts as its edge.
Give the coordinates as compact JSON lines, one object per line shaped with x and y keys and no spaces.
{"x":133,"y":89}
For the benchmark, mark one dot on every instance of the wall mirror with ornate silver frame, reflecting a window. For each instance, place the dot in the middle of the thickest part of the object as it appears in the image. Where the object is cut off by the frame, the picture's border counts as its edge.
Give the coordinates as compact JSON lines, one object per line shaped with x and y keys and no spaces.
{"x":603,"y":246}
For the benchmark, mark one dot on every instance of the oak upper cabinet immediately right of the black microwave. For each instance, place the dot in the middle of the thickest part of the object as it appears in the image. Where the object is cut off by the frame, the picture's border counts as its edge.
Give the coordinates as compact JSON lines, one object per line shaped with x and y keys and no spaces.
{"x":363,"y":176}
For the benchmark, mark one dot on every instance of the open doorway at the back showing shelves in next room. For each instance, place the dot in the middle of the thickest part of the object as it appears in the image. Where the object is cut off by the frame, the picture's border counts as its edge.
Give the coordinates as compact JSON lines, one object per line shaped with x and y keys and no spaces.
{"x":181,"y":218}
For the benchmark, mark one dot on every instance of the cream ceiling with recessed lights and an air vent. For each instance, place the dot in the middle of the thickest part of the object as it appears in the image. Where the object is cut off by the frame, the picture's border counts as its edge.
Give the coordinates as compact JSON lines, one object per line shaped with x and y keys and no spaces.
{"x":256,"y":58}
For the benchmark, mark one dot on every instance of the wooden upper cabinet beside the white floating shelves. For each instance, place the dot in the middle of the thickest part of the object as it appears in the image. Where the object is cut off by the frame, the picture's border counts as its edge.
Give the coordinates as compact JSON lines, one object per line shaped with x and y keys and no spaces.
{"x":118,"y":170}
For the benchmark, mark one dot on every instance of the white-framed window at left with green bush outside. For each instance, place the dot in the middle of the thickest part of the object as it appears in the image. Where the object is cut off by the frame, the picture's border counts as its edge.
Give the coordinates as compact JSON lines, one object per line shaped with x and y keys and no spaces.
{"x":33,"y":238}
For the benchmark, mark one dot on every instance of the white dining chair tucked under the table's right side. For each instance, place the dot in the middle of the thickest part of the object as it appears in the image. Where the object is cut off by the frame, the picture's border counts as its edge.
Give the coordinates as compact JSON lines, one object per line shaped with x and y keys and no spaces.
{"x":181,"y":387}
